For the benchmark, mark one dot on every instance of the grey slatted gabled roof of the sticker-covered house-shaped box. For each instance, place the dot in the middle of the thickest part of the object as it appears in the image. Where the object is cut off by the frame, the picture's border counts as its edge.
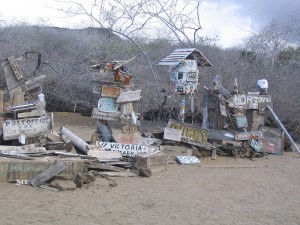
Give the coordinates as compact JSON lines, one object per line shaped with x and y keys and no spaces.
{"x":185,"y":53}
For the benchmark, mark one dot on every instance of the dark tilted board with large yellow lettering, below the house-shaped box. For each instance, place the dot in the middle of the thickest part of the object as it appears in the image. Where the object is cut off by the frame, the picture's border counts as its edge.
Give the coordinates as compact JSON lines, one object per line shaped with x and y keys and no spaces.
{"x":190,"y":134}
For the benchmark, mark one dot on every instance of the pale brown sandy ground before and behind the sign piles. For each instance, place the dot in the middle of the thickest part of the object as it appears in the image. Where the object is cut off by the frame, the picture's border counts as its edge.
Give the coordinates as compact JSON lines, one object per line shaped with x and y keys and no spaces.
{"x":222,"y":191}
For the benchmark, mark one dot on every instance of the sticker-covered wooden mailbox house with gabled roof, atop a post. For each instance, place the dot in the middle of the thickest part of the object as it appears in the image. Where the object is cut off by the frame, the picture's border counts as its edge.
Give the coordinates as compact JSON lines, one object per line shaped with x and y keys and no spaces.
{"x":184,"y":76}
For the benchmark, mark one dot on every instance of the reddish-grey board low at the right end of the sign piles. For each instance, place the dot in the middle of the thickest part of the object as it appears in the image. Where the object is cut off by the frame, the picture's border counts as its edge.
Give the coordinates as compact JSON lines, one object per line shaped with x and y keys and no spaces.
{"x":271,"y":145}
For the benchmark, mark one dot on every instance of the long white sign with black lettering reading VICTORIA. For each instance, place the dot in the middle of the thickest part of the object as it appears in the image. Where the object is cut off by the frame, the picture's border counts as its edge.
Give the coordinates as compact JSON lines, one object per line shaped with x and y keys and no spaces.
{"x":126,"y":149}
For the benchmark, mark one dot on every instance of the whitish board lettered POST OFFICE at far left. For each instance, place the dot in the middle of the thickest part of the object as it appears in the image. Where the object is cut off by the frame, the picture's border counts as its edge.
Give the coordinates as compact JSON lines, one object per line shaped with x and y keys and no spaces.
{"x":32,"y":127}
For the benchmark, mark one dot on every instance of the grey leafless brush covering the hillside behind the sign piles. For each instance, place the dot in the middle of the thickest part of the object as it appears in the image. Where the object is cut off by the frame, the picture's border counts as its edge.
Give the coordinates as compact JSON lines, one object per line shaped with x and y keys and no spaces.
{"x":68,"y":53}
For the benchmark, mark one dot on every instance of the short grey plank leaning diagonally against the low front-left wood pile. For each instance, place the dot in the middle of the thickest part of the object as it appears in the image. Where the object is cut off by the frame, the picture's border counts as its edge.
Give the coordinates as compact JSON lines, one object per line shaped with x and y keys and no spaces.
{"x":47,"y":174}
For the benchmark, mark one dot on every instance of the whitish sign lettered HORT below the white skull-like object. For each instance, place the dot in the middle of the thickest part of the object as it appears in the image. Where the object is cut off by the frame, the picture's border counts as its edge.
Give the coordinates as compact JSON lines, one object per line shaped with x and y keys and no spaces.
{"x":248,"y":101}
